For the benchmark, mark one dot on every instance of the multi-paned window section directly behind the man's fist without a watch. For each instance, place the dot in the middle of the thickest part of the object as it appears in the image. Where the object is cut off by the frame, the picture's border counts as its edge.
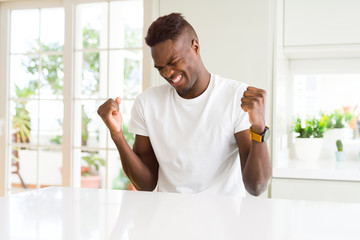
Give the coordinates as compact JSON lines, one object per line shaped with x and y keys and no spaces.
{"x":108,"y":63}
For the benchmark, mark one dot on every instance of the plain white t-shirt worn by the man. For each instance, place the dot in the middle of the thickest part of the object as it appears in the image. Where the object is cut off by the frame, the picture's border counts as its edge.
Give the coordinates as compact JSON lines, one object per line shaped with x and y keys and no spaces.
{"x":193,"y":139}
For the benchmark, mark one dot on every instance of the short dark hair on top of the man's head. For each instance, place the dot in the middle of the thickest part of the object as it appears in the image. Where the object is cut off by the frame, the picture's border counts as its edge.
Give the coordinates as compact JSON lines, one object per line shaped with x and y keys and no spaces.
{"x":168,"y":27}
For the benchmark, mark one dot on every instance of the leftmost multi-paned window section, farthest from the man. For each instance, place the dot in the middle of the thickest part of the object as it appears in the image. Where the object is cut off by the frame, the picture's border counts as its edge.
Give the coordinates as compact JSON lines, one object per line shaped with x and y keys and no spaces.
{"x":36,"y":92}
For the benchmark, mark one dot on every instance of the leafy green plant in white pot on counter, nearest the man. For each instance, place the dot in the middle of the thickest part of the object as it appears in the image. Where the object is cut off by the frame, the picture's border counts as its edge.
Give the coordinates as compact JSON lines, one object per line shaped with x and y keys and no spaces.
{"x":308,"y":141}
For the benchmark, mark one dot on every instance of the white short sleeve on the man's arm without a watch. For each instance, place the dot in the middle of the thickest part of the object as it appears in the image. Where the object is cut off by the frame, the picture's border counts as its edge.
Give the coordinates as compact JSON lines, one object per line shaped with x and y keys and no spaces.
{"x":137,"y":122}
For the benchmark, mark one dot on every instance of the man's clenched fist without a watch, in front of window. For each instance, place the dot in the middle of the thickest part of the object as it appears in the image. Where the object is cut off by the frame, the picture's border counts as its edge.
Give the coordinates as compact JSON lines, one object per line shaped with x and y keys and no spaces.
{"x":110,"y":114}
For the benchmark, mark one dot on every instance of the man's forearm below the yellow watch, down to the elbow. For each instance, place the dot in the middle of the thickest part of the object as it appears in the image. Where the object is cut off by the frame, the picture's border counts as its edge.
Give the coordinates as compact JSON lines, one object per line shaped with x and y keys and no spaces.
{"x":257,"y":170}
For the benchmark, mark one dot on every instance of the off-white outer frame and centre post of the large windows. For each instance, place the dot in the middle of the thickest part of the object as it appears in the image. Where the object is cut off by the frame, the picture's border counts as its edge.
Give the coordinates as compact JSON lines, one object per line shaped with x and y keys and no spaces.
{"x":70,"y":168}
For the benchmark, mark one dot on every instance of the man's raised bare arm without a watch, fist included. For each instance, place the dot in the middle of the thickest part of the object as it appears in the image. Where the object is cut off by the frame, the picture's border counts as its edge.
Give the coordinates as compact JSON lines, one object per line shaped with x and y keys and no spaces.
{"x":139,"y":164}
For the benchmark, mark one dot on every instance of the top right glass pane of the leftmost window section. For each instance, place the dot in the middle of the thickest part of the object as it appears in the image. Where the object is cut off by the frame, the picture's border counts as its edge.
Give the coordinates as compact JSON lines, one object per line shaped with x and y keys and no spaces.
{"x":52,"y":29}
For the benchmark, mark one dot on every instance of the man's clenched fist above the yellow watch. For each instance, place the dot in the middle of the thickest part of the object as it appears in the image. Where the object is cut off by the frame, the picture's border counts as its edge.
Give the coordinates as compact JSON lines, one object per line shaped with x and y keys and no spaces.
{"x":253,"y":102}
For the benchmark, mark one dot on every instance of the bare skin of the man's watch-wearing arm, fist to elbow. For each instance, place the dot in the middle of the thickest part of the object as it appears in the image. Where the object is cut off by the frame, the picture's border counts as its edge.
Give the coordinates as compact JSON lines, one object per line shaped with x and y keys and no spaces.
{"x":254,"y":156}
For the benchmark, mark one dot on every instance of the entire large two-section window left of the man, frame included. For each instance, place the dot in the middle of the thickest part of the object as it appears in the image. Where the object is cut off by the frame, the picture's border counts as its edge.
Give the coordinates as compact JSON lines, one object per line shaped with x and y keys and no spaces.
{"x":42,"y":93}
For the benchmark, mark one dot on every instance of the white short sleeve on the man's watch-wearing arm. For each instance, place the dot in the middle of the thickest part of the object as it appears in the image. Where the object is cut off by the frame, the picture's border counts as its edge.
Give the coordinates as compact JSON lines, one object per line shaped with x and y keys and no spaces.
{"x":241,"y":117}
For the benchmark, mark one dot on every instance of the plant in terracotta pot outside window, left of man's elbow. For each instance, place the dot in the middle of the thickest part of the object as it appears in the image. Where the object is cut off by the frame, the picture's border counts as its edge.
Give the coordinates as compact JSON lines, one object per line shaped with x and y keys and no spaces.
{"x":90,"y":177}
